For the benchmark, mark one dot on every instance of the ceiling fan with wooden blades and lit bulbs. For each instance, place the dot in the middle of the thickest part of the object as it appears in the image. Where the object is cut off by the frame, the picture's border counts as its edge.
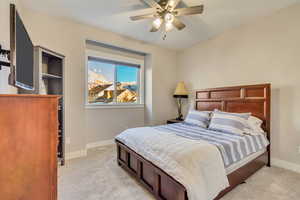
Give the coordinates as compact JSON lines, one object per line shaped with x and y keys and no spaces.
{"x":166,"y":13}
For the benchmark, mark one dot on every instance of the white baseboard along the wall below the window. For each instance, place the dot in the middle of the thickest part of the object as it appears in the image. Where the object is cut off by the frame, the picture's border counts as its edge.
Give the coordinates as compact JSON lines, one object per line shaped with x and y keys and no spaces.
{"x":83,"y":152}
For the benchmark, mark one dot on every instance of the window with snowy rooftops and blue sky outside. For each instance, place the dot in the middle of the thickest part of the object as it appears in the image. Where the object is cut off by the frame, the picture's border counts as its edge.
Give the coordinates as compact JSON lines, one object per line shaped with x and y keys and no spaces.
{"x":114,"y":80}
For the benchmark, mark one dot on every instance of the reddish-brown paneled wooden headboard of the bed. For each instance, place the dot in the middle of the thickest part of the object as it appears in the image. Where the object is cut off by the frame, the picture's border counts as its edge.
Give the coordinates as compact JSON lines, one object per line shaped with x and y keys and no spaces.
{"x":247,"y":98}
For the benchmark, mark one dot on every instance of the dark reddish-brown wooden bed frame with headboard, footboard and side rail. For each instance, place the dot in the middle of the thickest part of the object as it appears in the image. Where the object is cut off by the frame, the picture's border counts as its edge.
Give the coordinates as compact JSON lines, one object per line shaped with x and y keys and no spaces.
{"x":249,"y":98}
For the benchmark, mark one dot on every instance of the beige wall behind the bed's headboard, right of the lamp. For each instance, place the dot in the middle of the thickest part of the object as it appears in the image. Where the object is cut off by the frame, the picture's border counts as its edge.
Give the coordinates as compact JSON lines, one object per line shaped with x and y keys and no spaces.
{"x":267,"y":50}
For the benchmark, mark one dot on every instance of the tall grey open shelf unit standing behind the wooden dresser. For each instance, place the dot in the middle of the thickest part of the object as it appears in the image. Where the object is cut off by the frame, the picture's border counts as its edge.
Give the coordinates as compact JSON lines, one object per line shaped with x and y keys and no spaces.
{"x":49,"y":80}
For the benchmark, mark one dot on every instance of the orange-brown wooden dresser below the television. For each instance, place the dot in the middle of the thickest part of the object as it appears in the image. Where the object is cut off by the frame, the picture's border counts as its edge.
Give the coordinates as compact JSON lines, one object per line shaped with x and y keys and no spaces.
{"x":28,"y":146}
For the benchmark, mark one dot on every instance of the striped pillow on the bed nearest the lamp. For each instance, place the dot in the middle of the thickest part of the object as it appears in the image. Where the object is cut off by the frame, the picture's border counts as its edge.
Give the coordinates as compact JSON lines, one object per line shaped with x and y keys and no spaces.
{"x":199,"y":118}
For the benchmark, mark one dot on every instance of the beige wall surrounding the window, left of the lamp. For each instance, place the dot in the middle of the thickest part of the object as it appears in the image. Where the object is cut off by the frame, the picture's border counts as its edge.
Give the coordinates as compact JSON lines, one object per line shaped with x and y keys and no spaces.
{"x":92,"y":125}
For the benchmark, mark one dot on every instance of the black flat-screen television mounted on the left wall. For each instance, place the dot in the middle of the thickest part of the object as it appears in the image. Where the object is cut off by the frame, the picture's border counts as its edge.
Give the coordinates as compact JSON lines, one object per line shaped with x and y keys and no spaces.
{"x":22,"y":50}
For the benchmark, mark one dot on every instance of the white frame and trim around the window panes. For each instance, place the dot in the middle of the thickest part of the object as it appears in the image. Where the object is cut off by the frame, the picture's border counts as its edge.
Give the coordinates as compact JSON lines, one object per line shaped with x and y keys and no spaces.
{"x":121,"y":59}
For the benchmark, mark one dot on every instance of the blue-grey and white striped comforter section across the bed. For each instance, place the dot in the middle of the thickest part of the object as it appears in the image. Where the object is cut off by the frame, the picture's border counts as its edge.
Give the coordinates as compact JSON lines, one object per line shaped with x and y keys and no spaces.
{"x":233,"y":147}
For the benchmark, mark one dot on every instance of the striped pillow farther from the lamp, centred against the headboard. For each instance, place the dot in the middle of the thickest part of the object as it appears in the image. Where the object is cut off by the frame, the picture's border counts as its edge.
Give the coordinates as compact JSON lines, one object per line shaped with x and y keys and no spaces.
{"x":229,"y":122}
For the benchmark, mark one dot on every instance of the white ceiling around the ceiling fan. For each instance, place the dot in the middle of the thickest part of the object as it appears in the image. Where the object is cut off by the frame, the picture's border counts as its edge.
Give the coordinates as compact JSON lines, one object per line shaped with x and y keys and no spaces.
{"x":113,"y":15}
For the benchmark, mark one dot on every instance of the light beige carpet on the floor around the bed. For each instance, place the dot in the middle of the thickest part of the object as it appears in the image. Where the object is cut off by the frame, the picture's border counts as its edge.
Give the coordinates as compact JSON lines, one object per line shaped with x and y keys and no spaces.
{"x":98,"y":177}
